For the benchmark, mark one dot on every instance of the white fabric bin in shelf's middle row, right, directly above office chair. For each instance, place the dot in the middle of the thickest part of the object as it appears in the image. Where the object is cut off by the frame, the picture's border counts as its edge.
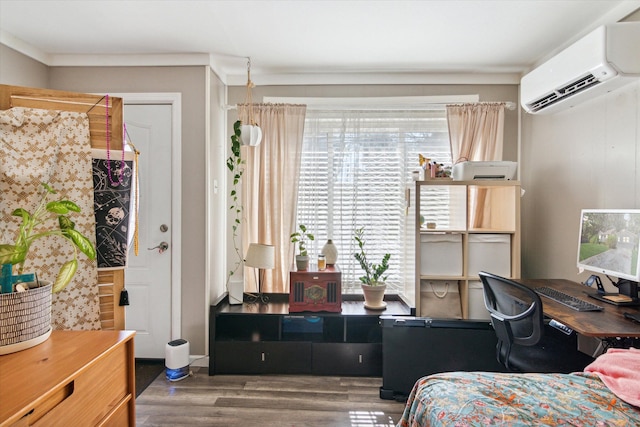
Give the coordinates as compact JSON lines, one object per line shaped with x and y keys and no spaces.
{"x":490,"y":253}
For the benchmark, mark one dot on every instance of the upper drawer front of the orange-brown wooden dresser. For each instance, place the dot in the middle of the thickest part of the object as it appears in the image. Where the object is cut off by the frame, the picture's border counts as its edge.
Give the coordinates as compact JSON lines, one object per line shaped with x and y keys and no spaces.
{"x":100,"y":388}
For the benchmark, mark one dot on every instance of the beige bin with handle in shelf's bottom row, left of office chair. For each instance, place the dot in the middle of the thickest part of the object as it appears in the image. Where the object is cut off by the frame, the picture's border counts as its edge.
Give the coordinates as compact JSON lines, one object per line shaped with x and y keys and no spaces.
{"x":440,"y":299}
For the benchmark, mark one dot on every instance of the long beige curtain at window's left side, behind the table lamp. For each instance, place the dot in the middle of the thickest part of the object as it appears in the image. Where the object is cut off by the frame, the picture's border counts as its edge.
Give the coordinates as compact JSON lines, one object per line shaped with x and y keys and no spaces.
{"x":270,"y":188}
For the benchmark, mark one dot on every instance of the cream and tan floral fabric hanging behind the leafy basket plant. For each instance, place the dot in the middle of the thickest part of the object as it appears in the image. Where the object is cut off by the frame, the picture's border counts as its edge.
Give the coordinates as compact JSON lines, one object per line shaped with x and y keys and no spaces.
{"x":51,"y":146}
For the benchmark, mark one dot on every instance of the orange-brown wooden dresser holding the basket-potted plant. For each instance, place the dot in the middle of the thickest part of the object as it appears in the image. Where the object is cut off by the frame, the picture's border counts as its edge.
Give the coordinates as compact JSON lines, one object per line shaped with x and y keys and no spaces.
{"x":75,"y":378}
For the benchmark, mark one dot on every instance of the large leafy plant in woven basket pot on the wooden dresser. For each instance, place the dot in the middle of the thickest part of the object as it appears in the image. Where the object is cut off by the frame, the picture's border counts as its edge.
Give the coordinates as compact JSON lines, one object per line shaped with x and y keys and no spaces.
{"x":24,"y":304}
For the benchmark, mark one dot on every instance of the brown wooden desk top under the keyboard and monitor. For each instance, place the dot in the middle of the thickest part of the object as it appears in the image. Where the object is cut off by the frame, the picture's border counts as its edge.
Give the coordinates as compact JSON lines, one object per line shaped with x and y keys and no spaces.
{"x":602,"y":324}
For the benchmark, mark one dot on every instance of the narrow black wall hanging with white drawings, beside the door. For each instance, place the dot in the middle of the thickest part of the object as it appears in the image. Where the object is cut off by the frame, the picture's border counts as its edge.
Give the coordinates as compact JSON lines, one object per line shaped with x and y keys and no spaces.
{"x":112,"y":206}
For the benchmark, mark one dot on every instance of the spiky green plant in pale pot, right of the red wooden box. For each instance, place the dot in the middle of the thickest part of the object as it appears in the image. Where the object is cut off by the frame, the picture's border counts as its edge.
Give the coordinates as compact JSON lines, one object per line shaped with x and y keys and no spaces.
{"x":373,"y":283}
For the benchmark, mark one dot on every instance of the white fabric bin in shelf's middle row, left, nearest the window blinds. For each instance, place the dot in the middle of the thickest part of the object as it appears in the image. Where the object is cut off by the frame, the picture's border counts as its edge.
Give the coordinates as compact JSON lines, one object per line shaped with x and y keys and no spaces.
{"x":441,"y":254}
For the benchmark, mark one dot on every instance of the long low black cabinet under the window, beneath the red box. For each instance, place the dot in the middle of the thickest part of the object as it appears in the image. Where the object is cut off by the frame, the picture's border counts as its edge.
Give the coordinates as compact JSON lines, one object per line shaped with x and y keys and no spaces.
{"x":265,"y":338}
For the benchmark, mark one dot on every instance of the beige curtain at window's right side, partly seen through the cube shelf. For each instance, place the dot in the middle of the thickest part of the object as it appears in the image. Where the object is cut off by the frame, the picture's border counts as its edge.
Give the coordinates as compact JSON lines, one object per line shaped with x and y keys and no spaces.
{"x":476,"y":134}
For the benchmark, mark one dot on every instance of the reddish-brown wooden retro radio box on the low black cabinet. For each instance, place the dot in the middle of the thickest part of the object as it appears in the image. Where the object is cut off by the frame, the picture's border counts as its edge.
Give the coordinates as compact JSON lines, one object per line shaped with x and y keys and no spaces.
{"x":314,"y":290}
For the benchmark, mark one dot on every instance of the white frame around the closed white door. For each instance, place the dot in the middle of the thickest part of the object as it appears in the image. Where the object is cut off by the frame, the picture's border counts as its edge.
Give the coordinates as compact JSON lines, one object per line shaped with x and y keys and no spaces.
{"x":175,"y":100}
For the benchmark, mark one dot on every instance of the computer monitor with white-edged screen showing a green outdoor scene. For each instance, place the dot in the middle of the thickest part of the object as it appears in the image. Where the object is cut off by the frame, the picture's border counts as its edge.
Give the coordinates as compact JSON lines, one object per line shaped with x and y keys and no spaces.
{"x":609,"y":244}
